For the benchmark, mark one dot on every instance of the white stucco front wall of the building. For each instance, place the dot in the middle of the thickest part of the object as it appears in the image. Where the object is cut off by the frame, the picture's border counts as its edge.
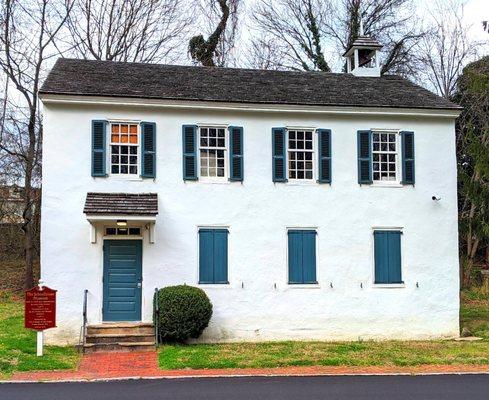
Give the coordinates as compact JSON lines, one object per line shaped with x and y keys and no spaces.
{"x":258,"y":304}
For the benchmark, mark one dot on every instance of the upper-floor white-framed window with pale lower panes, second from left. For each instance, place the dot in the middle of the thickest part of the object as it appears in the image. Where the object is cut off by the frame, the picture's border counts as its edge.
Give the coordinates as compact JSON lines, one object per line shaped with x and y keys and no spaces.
{"x":212,"y":151}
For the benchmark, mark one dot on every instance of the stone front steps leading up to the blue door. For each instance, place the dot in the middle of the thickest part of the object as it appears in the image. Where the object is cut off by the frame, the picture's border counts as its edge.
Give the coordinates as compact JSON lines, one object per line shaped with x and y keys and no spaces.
{"x":123,"y":336}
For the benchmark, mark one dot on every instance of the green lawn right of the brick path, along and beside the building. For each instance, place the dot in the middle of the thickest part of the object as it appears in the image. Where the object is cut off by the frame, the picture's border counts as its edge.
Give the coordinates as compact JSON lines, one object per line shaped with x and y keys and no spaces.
{"x":474,"y":315}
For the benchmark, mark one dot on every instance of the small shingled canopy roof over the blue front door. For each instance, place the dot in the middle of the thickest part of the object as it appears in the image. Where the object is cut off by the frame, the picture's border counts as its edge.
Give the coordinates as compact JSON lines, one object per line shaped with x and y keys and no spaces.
{"x":121,"y":203}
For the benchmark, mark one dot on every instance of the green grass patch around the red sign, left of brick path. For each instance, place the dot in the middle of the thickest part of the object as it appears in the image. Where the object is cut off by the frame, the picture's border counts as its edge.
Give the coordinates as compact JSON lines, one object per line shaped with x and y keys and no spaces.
{"x":18,"y":345}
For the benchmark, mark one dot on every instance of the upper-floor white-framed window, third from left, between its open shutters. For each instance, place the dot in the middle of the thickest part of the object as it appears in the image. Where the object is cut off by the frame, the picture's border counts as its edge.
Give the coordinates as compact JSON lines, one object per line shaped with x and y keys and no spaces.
{"x":300,"y":153}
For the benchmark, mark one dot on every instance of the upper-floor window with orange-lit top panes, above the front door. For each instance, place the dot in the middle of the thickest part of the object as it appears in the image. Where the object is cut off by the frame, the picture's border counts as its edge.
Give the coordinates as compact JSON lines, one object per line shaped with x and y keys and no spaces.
{"x":124,"y":148}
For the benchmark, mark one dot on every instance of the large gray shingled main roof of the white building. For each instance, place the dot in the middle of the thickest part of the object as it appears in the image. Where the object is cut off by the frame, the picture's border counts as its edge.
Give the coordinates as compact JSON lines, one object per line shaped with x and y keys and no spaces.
{"x":172,"y":82}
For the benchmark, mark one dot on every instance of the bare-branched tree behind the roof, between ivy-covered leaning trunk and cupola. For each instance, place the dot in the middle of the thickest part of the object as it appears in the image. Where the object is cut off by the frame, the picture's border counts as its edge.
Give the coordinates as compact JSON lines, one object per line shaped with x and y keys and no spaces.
{"x":296,"y":30}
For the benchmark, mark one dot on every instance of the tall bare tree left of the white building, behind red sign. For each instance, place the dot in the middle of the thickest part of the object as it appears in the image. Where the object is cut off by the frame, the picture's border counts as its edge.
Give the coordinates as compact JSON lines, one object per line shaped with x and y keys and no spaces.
{"x":27,"y":37}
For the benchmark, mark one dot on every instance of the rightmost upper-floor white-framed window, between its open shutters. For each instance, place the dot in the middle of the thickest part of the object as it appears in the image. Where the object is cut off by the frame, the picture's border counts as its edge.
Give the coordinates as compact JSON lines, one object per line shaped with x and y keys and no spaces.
{"x":385,"y":156}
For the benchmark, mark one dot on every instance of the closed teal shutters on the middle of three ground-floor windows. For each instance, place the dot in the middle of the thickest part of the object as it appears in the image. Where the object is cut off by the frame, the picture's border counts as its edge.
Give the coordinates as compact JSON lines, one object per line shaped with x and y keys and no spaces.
{"x":302,"y":256}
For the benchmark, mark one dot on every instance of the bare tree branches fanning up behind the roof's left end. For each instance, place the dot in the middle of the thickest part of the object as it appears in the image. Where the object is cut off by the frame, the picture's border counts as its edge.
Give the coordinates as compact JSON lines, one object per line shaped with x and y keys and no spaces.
{"x":128,"y":30}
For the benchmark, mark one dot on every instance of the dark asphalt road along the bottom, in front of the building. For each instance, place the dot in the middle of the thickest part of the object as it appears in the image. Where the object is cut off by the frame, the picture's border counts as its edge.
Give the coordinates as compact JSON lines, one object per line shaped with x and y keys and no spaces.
{"x":445,"y":387}
